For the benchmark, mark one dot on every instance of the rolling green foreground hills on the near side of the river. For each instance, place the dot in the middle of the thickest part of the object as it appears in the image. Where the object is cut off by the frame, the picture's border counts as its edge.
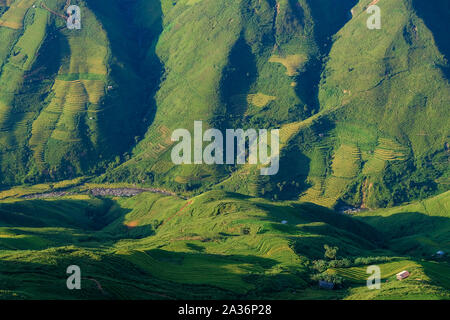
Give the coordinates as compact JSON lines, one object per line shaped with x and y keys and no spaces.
{"x":216,"y":245}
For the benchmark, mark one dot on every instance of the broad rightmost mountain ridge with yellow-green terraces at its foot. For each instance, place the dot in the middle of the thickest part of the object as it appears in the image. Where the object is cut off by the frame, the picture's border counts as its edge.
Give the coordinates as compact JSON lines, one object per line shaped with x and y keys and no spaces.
{"x":377,"y":105}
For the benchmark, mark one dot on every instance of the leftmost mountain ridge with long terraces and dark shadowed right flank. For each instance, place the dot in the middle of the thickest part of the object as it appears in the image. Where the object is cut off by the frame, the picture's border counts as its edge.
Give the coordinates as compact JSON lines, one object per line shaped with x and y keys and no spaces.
{"x":62,"y":93}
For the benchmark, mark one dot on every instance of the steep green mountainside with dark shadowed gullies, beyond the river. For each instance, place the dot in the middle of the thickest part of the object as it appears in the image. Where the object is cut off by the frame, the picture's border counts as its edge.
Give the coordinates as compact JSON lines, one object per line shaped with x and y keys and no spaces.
{"x":363,"y":114}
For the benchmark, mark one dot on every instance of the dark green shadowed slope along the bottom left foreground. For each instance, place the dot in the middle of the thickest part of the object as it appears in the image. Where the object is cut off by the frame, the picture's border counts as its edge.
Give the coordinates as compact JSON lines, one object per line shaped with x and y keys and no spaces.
{"x":170,"y":275}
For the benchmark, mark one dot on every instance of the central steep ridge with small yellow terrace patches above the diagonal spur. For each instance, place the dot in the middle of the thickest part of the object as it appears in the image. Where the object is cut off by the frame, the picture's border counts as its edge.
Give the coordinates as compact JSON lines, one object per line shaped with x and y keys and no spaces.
{"x":262,"y":76}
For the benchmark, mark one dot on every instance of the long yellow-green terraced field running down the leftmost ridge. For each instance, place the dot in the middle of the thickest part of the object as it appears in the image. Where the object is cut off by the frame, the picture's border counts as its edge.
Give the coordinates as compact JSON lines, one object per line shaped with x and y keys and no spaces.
{"x":80,"y":86}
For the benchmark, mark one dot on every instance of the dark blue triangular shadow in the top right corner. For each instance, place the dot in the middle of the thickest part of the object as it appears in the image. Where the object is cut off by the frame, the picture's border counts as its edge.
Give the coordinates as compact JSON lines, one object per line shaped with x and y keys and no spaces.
{"x":436,"y":15}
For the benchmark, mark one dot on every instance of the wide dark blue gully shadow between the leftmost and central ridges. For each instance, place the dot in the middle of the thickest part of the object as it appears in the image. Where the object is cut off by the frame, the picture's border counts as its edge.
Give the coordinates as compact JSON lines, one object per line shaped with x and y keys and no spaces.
{"x":135,"y":67}
